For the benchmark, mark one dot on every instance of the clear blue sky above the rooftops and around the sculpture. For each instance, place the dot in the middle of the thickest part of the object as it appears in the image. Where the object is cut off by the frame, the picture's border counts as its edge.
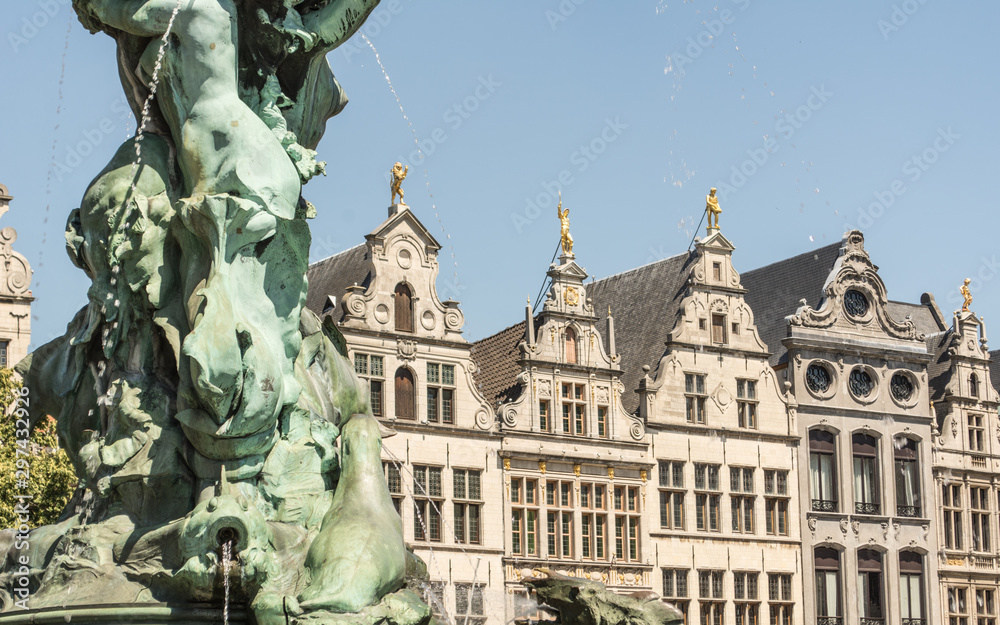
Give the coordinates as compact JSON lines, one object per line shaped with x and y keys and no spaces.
{"x":667,"y":98}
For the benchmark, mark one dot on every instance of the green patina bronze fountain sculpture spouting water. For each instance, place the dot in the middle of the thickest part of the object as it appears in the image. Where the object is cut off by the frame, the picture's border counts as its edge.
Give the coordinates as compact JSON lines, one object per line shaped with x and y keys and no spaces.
{"x":198,"y":399}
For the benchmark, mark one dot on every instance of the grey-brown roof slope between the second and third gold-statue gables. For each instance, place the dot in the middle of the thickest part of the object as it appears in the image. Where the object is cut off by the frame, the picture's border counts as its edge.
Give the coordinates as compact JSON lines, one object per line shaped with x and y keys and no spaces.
{"x":645,"y":304}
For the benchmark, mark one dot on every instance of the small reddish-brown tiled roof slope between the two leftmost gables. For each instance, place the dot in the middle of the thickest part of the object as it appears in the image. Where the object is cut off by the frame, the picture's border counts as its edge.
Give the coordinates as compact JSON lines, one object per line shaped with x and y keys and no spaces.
{"x":496,"y":364}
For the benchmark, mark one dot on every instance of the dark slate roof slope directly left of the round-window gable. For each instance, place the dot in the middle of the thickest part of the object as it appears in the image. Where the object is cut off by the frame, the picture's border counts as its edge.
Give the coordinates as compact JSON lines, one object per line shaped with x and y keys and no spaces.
{"x":774,"y":292}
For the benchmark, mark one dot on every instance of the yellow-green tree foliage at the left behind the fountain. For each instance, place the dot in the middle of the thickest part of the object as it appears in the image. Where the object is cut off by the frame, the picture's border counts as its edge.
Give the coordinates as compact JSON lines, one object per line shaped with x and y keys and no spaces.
{"x":50,"y":476}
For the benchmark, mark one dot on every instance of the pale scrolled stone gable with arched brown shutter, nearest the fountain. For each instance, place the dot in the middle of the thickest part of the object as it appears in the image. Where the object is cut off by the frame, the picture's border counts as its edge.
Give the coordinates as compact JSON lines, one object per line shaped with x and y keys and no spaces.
{"x":402,"y":294}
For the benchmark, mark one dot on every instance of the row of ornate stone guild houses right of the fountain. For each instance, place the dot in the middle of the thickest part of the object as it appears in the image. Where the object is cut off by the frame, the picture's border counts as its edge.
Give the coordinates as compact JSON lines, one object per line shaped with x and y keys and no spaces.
{"x":787,"y":445}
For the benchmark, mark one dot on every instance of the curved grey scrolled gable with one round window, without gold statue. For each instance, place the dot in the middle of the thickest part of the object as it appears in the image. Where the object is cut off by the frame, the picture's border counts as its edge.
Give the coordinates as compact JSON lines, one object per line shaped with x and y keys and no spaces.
{"x":855,"y":299}
